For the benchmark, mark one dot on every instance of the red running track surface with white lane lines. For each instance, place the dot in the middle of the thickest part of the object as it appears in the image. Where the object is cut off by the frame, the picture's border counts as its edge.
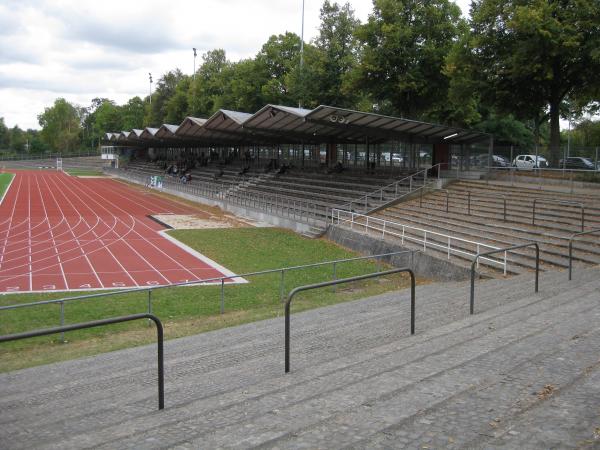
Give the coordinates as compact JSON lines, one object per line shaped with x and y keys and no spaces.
{"x":61,"y":233}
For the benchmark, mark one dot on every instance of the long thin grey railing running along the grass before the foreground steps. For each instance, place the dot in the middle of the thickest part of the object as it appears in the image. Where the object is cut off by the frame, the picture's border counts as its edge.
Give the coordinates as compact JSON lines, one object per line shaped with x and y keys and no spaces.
{"x":216,"y":281}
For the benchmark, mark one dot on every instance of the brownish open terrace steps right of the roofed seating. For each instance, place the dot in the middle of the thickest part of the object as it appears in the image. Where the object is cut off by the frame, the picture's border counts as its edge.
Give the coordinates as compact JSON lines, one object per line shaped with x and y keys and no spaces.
{"x":554,"y":224}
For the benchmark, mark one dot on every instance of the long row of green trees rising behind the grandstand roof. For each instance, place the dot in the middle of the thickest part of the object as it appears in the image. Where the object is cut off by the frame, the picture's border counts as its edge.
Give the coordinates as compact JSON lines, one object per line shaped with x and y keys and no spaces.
{"x":512,"y":68}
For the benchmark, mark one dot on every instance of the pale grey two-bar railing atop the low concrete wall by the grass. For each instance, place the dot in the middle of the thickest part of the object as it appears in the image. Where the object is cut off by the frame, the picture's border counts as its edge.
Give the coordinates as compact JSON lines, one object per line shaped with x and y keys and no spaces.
{"x":424,"y":241}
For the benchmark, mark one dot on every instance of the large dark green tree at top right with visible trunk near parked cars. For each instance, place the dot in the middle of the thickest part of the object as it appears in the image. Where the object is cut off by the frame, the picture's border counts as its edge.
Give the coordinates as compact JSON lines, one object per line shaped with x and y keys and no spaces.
{"x":536,"y":53}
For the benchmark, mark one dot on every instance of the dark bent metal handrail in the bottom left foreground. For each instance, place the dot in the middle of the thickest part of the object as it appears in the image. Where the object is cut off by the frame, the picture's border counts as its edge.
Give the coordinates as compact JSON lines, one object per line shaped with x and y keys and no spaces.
{"x":98,"y":323}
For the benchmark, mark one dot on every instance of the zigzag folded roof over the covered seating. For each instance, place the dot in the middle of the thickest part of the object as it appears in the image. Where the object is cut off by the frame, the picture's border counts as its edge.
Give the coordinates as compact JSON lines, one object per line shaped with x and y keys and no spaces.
{"x":278,"y":124}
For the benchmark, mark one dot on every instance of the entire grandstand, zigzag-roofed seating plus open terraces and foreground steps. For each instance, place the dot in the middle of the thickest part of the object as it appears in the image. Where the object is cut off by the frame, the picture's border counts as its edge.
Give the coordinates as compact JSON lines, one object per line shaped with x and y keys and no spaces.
{"x":522,"y":372}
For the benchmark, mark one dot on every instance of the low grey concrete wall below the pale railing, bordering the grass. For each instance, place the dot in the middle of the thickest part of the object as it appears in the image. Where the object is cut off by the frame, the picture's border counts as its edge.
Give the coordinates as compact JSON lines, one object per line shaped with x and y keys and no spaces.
{"x":423,"y":264}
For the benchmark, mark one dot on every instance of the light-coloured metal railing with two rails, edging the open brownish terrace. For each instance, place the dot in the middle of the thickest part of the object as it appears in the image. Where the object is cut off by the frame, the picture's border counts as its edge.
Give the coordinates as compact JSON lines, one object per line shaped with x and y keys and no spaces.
{"x":386,"y":227}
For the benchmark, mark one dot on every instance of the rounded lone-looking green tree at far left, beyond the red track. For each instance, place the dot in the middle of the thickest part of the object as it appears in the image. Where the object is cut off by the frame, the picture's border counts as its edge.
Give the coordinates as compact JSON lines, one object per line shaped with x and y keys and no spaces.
{"x":60,"y":126}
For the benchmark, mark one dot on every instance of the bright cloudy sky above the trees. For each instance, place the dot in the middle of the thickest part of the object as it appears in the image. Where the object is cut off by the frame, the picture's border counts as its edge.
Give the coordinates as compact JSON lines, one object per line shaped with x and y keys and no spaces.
{"x":82,"y":49}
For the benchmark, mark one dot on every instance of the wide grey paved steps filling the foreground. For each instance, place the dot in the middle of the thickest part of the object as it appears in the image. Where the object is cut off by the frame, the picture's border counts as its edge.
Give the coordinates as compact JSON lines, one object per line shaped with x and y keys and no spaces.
{"x":524,"y":364}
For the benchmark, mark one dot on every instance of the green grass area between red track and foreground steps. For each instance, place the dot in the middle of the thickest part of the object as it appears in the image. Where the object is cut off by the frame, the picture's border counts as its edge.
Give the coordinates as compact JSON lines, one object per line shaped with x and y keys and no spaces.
{"x":190,"y":310}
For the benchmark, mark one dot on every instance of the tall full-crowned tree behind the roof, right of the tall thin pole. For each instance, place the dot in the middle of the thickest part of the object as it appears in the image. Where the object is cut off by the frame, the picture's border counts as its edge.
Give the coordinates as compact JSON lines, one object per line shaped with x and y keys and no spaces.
{"x":405,"y":43}
